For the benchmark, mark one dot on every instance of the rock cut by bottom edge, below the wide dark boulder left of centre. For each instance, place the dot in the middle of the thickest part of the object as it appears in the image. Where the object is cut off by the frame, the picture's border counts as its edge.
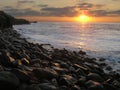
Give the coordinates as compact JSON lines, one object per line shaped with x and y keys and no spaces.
{"x":47,"y":86}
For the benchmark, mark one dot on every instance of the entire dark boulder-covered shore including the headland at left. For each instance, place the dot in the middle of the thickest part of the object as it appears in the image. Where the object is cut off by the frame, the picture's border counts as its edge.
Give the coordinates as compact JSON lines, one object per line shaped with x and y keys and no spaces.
{"x":28,"y":66}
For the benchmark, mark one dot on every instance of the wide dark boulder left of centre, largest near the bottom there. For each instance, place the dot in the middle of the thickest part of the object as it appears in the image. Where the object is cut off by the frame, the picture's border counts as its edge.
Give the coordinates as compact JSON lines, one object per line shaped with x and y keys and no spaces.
{"x":45,"y":73}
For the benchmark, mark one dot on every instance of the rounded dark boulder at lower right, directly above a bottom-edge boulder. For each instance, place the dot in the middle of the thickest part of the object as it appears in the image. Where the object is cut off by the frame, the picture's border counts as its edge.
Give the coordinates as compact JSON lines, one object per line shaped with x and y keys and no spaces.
{"x":95,"y":77}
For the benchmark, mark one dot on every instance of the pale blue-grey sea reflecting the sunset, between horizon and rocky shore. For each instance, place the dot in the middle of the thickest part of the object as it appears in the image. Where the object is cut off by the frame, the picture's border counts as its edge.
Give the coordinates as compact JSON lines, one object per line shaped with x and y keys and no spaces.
{"x":97,"y":39}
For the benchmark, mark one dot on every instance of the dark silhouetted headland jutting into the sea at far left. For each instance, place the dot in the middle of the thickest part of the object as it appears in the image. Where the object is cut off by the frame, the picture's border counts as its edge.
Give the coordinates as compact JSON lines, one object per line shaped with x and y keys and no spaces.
{"x":6,"y":21}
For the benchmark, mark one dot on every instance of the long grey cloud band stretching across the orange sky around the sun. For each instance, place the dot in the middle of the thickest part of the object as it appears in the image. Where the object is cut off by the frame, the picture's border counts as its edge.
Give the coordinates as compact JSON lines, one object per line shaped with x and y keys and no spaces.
{"x":93,"y":10}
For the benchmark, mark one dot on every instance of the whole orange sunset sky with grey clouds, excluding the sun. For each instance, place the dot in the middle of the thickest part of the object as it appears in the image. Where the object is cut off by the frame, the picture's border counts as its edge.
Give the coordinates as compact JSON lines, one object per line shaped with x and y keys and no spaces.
{"x":63,"y":10}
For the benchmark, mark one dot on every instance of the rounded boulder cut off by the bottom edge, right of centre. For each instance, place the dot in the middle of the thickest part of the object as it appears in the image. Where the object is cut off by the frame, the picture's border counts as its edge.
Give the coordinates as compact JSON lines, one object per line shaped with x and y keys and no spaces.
{"x":92,"y":85}
